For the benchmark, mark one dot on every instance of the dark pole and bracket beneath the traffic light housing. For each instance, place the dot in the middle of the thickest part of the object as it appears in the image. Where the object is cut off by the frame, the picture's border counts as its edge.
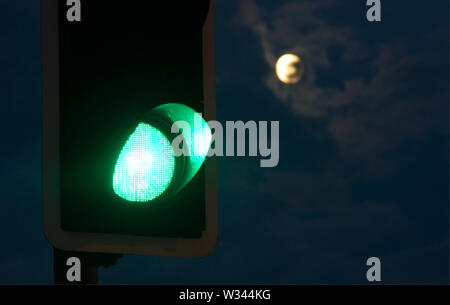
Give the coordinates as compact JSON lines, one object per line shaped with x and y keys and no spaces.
{"x":90,"y":262}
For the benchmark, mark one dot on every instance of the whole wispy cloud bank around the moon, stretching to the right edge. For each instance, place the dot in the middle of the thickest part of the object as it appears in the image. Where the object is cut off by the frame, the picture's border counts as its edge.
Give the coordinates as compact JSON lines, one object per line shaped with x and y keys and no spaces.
{"x":363,"y":92}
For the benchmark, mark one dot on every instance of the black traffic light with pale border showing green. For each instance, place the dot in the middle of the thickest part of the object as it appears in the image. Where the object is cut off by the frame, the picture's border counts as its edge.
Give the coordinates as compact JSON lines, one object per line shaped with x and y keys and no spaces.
{"x":128,"y":89}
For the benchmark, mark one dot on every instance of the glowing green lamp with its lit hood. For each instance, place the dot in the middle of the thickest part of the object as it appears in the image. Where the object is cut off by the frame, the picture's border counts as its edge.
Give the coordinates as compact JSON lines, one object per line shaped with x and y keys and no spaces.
{"x":163,"y":154}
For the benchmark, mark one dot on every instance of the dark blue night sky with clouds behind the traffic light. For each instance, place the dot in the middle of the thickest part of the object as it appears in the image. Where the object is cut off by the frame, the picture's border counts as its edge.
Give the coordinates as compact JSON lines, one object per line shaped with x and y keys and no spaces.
{"x":364,"y":157}
